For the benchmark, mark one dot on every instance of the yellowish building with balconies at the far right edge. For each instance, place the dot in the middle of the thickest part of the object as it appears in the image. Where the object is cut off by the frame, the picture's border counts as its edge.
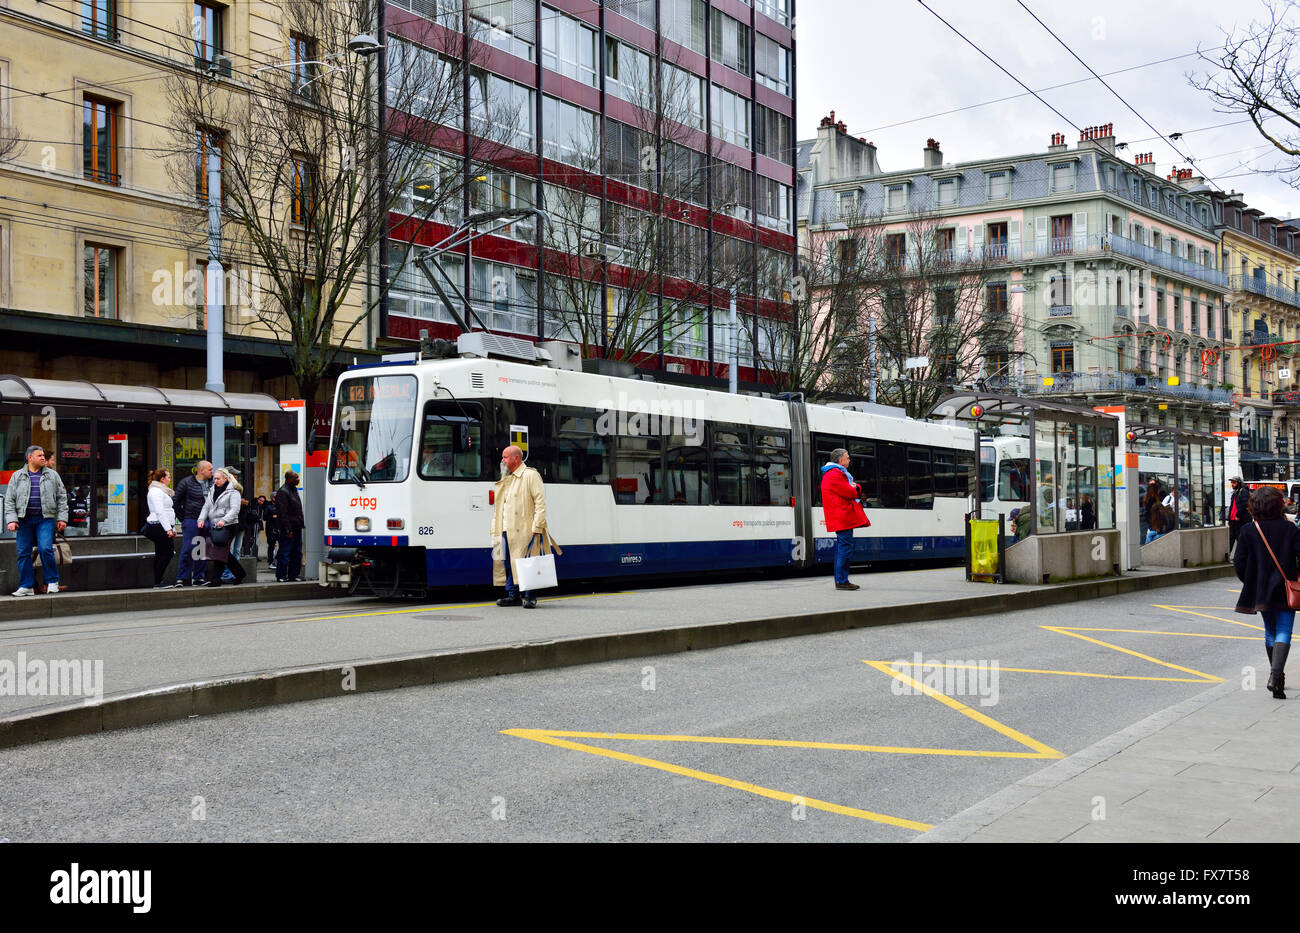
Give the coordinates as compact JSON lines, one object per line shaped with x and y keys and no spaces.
{"x":1262,"y":255}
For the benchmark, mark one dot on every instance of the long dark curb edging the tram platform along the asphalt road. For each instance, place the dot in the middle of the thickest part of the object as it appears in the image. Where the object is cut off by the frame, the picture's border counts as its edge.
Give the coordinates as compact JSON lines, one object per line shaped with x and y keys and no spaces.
{"x":330,"y":682}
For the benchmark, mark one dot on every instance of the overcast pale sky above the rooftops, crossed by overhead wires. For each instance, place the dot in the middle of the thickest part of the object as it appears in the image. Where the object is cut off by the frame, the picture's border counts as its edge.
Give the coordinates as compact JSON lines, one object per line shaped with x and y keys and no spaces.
{"x":878,"y":63}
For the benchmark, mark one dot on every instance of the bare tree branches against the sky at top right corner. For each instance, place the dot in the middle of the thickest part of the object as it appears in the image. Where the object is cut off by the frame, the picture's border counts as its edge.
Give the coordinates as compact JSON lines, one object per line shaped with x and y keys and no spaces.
{"x":1254,"y":73}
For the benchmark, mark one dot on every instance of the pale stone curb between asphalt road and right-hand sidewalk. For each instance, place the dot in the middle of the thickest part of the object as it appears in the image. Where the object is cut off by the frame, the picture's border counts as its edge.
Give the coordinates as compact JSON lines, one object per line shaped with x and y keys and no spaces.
{"x":993,"y":809}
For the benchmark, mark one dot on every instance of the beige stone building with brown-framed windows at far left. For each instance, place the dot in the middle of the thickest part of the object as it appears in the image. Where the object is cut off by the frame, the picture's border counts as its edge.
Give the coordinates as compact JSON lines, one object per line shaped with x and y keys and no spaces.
{"x":102,"y":296}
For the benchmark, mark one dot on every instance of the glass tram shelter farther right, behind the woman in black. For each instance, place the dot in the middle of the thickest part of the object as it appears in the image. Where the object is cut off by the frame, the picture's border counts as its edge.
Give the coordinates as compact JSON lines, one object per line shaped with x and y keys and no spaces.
{"x":1182,"y":472}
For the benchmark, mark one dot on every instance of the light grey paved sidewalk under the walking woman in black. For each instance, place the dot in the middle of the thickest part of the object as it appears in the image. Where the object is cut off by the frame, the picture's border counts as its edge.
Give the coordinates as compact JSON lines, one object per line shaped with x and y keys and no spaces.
{"x":1221,"y":767}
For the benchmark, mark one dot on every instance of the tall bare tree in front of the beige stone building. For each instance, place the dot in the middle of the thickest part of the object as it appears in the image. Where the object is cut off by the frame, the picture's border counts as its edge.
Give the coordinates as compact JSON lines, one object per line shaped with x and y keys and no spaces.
{"x":307,"y":179}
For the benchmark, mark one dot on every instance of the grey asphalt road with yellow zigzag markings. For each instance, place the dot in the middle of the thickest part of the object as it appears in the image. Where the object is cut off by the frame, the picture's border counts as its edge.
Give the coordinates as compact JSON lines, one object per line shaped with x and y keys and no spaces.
{"x":449,"y":763}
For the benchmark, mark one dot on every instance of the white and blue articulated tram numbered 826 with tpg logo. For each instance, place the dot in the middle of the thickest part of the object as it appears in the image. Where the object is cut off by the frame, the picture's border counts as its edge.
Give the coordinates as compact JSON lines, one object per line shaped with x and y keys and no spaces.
{"x":642,"y":478}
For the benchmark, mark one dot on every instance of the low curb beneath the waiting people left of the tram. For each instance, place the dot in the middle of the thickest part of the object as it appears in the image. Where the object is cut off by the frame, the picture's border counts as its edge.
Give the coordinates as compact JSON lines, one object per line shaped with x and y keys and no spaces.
{"x":150,"y":601}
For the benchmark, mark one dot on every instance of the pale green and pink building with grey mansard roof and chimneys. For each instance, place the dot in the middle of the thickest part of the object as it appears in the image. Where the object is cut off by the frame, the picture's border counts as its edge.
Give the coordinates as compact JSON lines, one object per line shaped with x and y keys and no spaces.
{"x":1107,"y":270}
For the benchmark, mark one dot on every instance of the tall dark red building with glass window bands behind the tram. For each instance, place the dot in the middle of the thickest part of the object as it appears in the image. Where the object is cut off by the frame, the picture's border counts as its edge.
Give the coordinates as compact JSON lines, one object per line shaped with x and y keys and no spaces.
{"x":708,"y":170}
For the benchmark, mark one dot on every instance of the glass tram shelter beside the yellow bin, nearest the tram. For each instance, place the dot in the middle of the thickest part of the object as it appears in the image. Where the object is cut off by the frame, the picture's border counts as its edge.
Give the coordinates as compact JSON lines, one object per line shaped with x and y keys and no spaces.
{"x":1055,"y":470}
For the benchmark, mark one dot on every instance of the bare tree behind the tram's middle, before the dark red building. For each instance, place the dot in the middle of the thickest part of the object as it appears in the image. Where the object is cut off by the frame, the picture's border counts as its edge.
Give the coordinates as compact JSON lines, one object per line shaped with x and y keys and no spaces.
{"x":631,"y":271}
